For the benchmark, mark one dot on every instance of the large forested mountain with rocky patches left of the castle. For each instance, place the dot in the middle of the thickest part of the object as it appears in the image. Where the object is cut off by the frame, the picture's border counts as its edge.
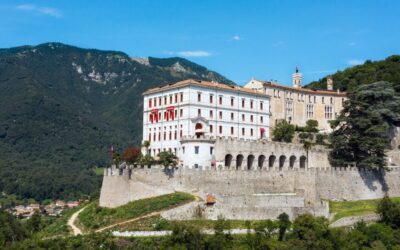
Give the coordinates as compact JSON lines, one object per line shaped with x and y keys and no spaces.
{"x":62,"y":107}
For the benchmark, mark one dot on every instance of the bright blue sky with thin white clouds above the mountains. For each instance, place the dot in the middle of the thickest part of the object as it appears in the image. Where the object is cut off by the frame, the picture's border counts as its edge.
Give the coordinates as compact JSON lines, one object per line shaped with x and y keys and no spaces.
{"x":239,"y":39}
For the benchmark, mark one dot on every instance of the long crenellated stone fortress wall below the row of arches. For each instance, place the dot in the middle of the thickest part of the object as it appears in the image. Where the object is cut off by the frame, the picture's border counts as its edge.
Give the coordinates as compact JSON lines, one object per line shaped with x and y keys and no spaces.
{"x":250,"y":194}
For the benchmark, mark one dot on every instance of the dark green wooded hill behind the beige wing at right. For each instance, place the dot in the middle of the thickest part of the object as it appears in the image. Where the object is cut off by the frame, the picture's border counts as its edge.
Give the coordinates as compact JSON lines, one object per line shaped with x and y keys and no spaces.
{"x":369,"y":72}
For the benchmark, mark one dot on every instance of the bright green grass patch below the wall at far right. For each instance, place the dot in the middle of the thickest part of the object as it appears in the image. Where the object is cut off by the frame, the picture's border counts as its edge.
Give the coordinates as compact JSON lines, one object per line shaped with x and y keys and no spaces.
{"x":354,"y":208}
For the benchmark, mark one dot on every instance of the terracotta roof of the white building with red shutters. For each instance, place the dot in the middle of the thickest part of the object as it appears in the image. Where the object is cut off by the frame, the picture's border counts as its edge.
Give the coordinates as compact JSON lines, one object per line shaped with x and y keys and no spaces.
{"x":202,"y":83}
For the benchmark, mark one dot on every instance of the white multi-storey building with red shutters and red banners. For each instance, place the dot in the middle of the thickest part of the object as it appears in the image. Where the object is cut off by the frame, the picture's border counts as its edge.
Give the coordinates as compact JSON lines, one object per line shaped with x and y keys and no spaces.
{"x":202,"y":108}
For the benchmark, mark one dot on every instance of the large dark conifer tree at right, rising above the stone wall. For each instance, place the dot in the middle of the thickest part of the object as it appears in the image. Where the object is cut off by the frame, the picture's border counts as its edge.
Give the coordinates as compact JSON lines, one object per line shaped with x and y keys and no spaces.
{"x":361,"y":134}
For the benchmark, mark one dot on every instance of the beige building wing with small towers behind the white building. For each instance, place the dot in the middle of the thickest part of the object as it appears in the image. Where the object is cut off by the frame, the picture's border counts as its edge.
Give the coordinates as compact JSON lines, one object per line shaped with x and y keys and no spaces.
{"x":297,"y":105}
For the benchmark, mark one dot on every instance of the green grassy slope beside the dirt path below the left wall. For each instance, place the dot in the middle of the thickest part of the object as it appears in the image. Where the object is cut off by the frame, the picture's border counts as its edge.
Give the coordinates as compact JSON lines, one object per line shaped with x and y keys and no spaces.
{"x":94,"y":217}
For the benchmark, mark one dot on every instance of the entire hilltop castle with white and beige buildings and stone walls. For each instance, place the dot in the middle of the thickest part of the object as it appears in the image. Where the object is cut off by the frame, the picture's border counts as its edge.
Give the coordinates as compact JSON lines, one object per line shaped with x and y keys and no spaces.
{"x":221,"y":135}
